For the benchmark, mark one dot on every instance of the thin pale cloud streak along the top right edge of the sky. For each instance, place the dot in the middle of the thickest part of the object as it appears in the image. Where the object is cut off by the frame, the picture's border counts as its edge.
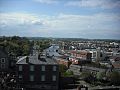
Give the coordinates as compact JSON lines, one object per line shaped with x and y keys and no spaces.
{"x":95,"y":3}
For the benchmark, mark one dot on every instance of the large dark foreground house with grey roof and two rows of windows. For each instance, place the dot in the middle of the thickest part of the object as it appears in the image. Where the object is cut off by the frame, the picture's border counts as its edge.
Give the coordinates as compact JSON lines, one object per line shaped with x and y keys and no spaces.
{"x":38,"y":73}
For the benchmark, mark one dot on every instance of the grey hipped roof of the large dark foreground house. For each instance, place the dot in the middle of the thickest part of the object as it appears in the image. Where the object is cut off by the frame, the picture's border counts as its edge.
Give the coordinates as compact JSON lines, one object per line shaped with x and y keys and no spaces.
{"x":35,"y":60}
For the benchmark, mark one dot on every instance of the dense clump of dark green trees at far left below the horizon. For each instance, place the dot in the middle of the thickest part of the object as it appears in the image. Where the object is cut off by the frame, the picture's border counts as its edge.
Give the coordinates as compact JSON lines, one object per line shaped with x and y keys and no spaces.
{"x":18,"y":46}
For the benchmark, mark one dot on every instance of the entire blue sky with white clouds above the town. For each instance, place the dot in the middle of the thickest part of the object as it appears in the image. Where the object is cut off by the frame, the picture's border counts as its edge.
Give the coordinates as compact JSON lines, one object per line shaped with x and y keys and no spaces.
{"x":91,"y":19}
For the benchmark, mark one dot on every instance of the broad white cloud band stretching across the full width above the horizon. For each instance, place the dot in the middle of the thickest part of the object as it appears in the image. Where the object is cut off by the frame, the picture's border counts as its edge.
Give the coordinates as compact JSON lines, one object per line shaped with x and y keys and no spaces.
{"x":61,"y":25}
